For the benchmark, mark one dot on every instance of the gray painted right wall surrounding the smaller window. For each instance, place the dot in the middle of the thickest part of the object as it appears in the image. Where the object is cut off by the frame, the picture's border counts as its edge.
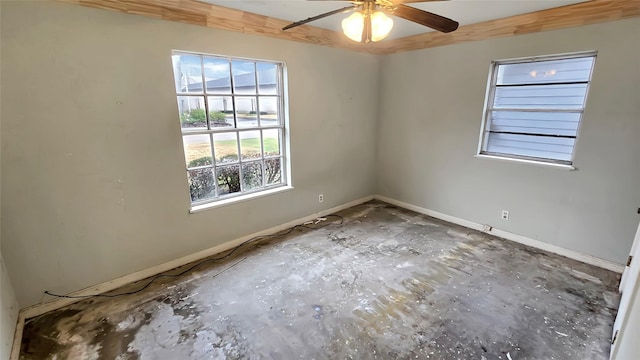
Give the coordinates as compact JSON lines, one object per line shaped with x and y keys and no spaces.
{"x":429,"y":124}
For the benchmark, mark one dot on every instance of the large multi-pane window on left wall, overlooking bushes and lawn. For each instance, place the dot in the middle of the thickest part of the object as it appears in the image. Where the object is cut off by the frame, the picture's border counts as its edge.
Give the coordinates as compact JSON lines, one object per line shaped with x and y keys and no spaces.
{"x":231,"y":116}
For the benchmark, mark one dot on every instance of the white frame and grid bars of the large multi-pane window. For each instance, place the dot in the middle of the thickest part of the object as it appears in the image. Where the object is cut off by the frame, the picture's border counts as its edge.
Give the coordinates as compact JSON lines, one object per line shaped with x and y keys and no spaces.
{"x":282,"y":126}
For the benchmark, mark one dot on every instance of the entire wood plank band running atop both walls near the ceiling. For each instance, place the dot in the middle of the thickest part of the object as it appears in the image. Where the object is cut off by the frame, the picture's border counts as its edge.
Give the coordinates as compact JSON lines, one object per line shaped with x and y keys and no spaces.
{"x":219,"y":17}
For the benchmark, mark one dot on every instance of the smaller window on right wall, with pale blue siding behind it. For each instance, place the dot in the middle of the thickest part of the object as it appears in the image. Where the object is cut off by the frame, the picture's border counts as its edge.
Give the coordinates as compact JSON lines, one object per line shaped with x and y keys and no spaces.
{"x":534,"y":107}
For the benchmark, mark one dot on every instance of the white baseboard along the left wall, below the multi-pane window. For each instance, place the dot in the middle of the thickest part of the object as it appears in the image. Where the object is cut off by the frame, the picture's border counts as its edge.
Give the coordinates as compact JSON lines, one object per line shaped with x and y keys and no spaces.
{"x":42,"y":308}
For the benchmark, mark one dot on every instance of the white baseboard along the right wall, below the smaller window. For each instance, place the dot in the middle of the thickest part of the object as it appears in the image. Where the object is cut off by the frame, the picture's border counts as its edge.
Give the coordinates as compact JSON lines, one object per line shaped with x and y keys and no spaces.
{"x":588,"y":259}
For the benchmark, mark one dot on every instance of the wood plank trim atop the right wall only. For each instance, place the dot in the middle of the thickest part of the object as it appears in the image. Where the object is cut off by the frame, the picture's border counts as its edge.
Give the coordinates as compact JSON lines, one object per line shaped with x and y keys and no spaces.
{"x":592,"y":12}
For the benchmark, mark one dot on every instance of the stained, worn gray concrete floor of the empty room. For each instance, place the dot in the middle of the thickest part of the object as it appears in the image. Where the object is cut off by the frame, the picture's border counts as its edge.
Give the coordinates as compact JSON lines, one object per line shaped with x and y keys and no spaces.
{"x":388,"y":283}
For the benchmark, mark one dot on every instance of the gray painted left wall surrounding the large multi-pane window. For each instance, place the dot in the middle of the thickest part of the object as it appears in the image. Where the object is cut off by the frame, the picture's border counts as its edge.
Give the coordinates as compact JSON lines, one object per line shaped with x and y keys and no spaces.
{"x":93,"y":178}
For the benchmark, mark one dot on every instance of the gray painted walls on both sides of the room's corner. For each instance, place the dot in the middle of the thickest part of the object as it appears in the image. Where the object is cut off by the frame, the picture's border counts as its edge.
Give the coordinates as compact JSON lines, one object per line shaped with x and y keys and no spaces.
{"x":93,"y":183}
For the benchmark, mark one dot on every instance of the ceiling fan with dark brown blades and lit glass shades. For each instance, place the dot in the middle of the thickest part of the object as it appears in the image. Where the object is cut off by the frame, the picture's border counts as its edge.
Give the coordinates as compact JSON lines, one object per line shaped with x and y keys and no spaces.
{"x":370,"y":22}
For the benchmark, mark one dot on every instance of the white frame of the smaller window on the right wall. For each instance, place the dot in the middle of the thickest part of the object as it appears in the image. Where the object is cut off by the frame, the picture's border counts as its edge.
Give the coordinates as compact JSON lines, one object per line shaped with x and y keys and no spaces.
{"x":490,"y":99}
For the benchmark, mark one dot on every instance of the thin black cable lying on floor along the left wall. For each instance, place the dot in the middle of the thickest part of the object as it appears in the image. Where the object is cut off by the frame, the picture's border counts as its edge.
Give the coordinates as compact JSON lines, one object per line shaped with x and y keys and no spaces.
{"x":230,"y":252}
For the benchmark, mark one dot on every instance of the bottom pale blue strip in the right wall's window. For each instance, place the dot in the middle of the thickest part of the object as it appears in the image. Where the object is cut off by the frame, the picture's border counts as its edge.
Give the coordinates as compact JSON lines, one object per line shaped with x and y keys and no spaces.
{"x":533,"y":146}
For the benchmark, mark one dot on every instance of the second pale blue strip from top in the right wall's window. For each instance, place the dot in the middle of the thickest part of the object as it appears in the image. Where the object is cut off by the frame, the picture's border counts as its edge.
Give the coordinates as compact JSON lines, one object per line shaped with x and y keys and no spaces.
{"x":541,"y":97}
